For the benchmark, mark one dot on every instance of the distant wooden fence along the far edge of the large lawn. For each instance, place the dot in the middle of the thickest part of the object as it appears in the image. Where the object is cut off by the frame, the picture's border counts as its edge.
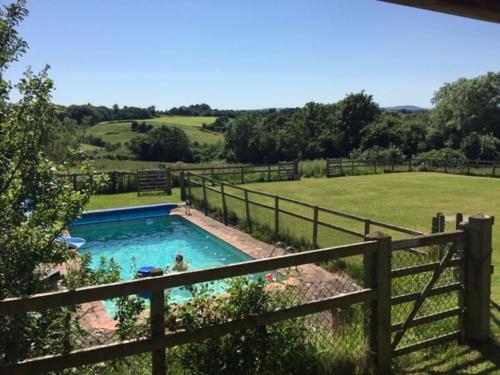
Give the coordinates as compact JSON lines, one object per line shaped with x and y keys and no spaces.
{"x":351,"y":167}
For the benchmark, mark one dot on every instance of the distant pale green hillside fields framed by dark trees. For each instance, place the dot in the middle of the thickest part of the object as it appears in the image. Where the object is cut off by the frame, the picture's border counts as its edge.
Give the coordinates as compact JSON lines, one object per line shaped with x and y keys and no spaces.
{"x":120,"y":132}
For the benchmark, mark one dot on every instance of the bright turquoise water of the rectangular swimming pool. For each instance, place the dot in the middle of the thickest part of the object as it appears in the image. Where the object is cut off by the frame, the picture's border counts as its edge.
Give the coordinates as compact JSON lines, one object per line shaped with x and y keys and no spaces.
{"x":155,"y":242}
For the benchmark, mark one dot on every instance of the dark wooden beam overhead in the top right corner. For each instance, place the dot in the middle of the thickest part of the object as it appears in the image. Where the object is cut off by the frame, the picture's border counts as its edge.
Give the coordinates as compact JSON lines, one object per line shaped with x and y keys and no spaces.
{"x":485,"y":10}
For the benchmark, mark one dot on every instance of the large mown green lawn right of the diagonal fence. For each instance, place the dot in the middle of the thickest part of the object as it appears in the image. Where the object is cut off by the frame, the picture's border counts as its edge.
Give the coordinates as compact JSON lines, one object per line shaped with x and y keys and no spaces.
{"x":406,"y":199}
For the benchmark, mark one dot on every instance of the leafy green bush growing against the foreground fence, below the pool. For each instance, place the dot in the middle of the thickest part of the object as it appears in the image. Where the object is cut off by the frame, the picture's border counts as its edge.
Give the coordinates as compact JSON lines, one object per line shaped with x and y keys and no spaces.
{"x":280,"y":348}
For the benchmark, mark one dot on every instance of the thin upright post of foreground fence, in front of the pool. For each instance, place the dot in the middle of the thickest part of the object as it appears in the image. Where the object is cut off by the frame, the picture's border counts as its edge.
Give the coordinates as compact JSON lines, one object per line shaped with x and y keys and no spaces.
{"x":158,"y":328}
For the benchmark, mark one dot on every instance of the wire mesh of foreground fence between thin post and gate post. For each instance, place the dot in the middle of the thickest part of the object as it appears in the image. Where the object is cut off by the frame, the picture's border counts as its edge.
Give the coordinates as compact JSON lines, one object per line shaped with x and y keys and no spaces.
{"x":321,"y":342}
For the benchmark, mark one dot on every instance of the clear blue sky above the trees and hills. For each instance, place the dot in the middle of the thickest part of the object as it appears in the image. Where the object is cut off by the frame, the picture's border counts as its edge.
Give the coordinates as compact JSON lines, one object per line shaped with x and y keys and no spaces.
{"x":250,"y":54}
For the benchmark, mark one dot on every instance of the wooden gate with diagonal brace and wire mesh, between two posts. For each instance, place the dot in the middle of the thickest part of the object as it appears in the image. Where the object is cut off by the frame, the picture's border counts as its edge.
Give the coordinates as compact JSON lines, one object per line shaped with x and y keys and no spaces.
{"x":427,"y":294}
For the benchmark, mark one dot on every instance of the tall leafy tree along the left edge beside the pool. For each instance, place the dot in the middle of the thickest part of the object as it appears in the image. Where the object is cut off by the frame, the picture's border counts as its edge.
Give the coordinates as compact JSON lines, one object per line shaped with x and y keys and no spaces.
{"x":35,"y":201}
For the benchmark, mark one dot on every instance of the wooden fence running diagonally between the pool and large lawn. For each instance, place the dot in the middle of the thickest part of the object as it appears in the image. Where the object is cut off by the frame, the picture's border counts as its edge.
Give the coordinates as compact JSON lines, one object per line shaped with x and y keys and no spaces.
{"x":274,"y":209}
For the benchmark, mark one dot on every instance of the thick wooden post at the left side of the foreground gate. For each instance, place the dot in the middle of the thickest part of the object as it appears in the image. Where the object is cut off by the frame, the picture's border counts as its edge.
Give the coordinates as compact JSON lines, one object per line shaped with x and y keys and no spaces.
{"x":377,"y":275}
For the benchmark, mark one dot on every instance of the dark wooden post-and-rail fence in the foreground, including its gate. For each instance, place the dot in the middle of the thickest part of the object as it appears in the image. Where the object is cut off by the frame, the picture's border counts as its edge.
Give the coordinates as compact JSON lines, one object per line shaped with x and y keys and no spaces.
{"x":383,"y":335}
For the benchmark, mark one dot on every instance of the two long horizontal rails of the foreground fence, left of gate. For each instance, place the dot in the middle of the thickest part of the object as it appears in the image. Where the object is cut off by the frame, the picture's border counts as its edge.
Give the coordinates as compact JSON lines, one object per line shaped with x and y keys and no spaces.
{"x":164,"y":340}
